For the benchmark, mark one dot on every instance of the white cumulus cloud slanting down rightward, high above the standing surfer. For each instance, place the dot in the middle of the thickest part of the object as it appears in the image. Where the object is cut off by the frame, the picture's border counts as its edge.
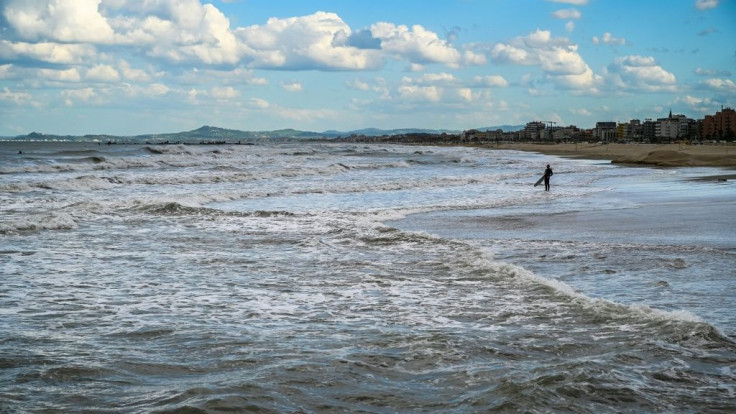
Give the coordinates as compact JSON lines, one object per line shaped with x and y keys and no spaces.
{"x":557,"y":57}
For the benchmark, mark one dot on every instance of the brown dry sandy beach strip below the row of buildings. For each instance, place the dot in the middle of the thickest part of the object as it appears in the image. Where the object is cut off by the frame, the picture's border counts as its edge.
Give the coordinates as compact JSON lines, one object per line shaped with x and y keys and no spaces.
{"x":664,"y":155}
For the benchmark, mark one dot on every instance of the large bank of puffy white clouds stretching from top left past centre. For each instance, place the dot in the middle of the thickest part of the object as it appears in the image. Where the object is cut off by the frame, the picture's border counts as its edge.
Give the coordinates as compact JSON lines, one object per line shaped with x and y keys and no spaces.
{"x":186,"y":31}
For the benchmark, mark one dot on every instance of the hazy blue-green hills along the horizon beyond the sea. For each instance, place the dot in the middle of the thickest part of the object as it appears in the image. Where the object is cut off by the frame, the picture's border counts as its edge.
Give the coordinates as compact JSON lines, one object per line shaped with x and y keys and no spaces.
{"x":208,"y":133}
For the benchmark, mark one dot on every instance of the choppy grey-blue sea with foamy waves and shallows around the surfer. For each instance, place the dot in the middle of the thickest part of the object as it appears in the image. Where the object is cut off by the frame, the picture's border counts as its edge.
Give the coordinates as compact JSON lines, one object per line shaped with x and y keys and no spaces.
{"x":313,"y":277}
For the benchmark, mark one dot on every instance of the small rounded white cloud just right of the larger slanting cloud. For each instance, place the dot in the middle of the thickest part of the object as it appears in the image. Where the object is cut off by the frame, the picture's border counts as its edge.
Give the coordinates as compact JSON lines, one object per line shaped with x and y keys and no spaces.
{"x":639,"y":73}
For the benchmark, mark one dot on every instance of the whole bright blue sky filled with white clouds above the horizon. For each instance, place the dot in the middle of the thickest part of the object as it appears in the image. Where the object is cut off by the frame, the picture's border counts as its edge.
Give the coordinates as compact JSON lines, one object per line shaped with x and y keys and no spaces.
{"x":128,"y":67}
